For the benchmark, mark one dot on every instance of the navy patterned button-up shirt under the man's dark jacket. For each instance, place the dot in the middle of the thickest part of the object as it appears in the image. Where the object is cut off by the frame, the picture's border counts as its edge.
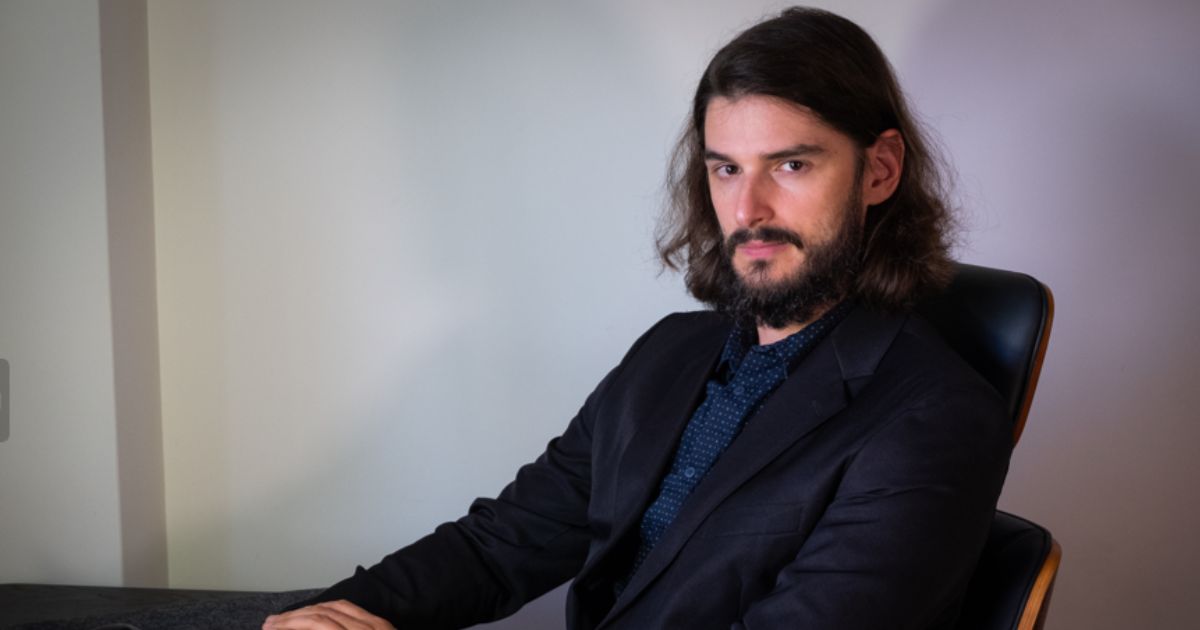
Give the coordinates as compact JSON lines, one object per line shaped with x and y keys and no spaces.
{"x":746,"y":375}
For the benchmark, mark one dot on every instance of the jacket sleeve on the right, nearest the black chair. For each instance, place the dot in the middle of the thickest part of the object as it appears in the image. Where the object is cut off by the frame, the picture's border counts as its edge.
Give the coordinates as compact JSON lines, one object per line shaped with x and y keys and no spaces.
{"x":897,"y":547}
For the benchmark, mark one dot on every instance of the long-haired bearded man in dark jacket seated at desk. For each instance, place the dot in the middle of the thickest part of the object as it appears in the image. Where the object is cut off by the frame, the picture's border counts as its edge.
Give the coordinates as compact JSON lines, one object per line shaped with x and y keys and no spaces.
{"x":807,"y":454}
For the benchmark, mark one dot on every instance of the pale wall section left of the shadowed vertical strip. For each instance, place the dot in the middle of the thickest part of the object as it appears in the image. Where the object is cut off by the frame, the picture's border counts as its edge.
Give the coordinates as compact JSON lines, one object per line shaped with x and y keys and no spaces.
{"x":58,"y":470}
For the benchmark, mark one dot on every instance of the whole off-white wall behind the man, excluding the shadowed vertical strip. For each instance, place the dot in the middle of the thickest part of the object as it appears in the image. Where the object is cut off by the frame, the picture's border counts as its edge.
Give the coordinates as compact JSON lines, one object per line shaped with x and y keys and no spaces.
{"x":398,"y":243}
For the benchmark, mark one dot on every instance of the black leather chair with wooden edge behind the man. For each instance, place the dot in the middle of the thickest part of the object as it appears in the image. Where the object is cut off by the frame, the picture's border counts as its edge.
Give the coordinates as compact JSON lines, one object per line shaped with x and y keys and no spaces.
{"x":1000,"y":323}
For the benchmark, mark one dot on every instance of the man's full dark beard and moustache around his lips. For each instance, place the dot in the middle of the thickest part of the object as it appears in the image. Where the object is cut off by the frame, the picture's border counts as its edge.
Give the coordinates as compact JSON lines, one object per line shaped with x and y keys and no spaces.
{"x":825,"y":278}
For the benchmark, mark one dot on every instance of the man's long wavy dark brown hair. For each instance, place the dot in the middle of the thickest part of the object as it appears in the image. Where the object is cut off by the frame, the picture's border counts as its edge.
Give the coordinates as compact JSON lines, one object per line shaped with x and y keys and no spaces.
{"x":833,"y":68}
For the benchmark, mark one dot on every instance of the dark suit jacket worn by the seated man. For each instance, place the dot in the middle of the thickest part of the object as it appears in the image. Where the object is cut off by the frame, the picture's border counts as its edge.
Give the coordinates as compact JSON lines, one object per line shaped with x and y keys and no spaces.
{"x":857,"y":497}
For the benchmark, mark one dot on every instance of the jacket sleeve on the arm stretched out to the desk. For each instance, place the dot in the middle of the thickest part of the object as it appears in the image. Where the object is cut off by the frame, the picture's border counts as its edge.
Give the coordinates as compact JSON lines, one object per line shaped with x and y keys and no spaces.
{"x":505,"y":553}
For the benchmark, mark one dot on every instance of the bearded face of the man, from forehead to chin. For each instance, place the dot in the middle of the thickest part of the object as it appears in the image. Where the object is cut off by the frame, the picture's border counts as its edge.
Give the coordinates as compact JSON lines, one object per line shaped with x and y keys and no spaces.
{"x":789,"y":196}
